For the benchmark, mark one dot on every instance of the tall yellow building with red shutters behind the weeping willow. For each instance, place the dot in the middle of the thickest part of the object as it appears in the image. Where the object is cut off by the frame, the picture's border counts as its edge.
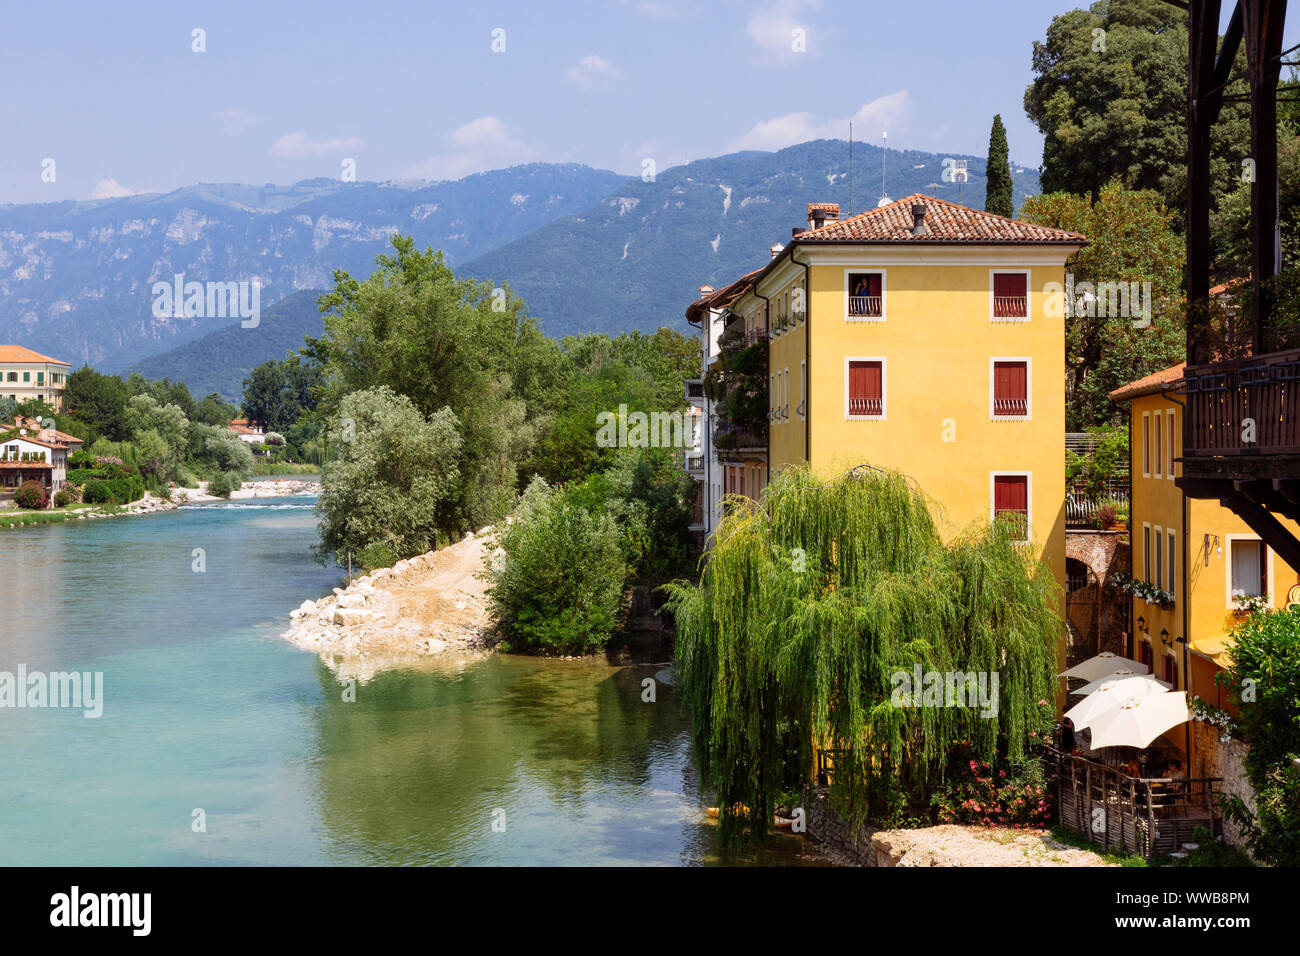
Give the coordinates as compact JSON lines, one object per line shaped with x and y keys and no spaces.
{"x":925,"y":338}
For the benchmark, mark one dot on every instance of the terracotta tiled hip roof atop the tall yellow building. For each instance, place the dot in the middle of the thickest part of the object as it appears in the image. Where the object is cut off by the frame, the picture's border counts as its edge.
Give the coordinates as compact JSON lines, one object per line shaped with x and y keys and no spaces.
{"x":944,"y":223}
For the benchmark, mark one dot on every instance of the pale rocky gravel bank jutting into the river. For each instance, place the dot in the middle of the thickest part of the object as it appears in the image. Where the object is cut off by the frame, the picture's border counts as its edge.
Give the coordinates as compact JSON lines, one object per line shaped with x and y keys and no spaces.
{"x":418,"y":609}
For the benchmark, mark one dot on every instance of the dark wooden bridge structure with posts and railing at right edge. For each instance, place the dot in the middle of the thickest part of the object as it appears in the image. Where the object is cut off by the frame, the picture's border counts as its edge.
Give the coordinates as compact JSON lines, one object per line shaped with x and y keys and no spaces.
{"x":1242,"y":426}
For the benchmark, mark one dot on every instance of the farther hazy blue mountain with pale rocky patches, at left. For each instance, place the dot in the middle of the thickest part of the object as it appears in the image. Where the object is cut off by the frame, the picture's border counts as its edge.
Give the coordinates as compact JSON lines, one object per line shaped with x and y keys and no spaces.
{"x":76,"y":278}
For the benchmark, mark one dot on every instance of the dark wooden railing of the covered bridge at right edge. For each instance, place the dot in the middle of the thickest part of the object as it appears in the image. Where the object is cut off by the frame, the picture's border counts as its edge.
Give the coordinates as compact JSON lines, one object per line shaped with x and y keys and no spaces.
{"x":1245,"y":399}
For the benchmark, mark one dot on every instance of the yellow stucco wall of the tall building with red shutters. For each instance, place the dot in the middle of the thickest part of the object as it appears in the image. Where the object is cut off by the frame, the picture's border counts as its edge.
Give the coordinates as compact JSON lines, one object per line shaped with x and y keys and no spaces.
{"x":938,"y":341}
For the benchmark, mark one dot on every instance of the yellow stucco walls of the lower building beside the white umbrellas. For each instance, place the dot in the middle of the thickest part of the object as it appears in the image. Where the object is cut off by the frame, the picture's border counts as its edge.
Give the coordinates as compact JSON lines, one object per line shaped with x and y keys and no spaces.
{"x":1202,"y":589}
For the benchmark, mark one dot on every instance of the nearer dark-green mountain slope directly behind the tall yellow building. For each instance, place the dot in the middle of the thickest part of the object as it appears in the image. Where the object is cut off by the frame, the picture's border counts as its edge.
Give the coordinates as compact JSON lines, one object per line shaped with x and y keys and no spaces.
{"x":638,"y":258}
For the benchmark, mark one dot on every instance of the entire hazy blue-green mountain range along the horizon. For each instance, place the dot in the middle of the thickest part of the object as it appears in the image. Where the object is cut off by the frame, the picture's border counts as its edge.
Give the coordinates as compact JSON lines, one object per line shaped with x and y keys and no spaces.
{"x":587,"y":249}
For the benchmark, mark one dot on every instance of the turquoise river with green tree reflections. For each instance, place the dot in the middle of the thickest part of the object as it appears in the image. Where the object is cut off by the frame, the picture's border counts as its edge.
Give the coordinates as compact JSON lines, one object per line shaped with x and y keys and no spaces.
{"x":222,"y":745}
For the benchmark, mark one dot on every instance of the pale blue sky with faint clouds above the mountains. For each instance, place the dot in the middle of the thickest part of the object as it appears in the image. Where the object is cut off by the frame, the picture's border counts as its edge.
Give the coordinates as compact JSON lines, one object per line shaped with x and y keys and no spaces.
{"x":118,"y":98}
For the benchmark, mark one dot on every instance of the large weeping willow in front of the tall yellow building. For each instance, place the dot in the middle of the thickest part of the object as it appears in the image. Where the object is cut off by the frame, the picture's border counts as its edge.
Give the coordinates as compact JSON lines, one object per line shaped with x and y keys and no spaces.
{"x":811,"y":605}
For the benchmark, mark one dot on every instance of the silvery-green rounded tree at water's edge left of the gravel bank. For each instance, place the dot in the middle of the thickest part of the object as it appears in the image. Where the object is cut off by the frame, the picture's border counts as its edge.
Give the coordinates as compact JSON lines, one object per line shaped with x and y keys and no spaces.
{"x":393,"y":474}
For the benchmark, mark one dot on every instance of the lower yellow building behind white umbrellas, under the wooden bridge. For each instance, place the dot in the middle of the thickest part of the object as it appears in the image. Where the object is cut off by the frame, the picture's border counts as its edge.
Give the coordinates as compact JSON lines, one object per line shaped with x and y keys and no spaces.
{"x":1199,"y":553}
